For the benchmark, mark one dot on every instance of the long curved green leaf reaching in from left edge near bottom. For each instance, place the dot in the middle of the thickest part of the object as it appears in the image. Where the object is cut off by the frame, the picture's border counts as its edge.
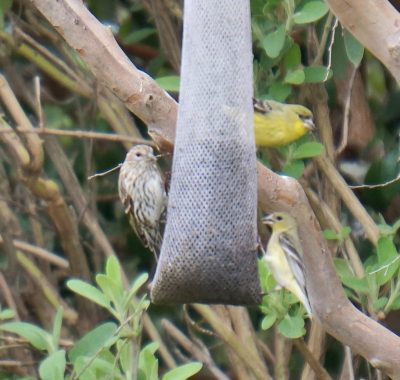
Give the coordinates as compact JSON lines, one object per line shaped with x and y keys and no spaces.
{"x":36,"y":336}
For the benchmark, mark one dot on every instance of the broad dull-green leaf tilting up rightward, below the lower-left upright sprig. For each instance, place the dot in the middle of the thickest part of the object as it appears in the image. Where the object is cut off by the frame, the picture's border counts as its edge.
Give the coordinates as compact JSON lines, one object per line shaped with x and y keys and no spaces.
{"x":91,"y":342}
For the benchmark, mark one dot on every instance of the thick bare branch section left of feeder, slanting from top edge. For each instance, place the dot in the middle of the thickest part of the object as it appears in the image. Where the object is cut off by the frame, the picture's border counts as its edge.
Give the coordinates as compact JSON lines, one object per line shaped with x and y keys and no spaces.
{"x":96,"y":45}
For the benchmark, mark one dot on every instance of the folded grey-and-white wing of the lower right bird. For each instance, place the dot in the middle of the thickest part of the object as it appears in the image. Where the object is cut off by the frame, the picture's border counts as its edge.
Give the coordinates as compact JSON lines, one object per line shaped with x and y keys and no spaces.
{"x":294,"y":258}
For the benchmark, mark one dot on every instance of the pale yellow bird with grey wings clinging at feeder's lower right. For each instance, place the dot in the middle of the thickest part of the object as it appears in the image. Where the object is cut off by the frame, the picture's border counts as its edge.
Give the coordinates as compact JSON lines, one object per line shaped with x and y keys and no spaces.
{"x":284,"y":256}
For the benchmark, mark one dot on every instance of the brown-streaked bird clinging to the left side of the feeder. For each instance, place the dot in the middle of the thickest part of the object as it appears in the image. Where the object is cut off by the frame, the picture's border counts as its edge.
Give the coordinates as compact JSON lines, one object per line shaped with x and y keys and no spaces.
{"x":141,"y":190}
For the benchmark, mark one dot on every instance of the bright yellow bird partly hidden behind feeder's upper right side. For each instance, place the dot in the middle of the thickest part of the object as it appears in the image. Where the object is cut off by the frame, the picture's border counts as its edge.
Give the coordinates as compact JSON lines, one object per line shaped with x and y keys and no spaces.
{"x":278,"y":124}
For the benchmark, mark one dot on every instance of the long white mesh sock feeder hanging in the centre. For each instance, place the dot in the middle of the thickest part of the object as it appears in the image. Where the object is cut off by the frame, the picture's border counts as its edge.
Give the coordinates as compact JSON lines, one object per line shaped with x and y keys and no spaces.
{"x":209,"y":251}
